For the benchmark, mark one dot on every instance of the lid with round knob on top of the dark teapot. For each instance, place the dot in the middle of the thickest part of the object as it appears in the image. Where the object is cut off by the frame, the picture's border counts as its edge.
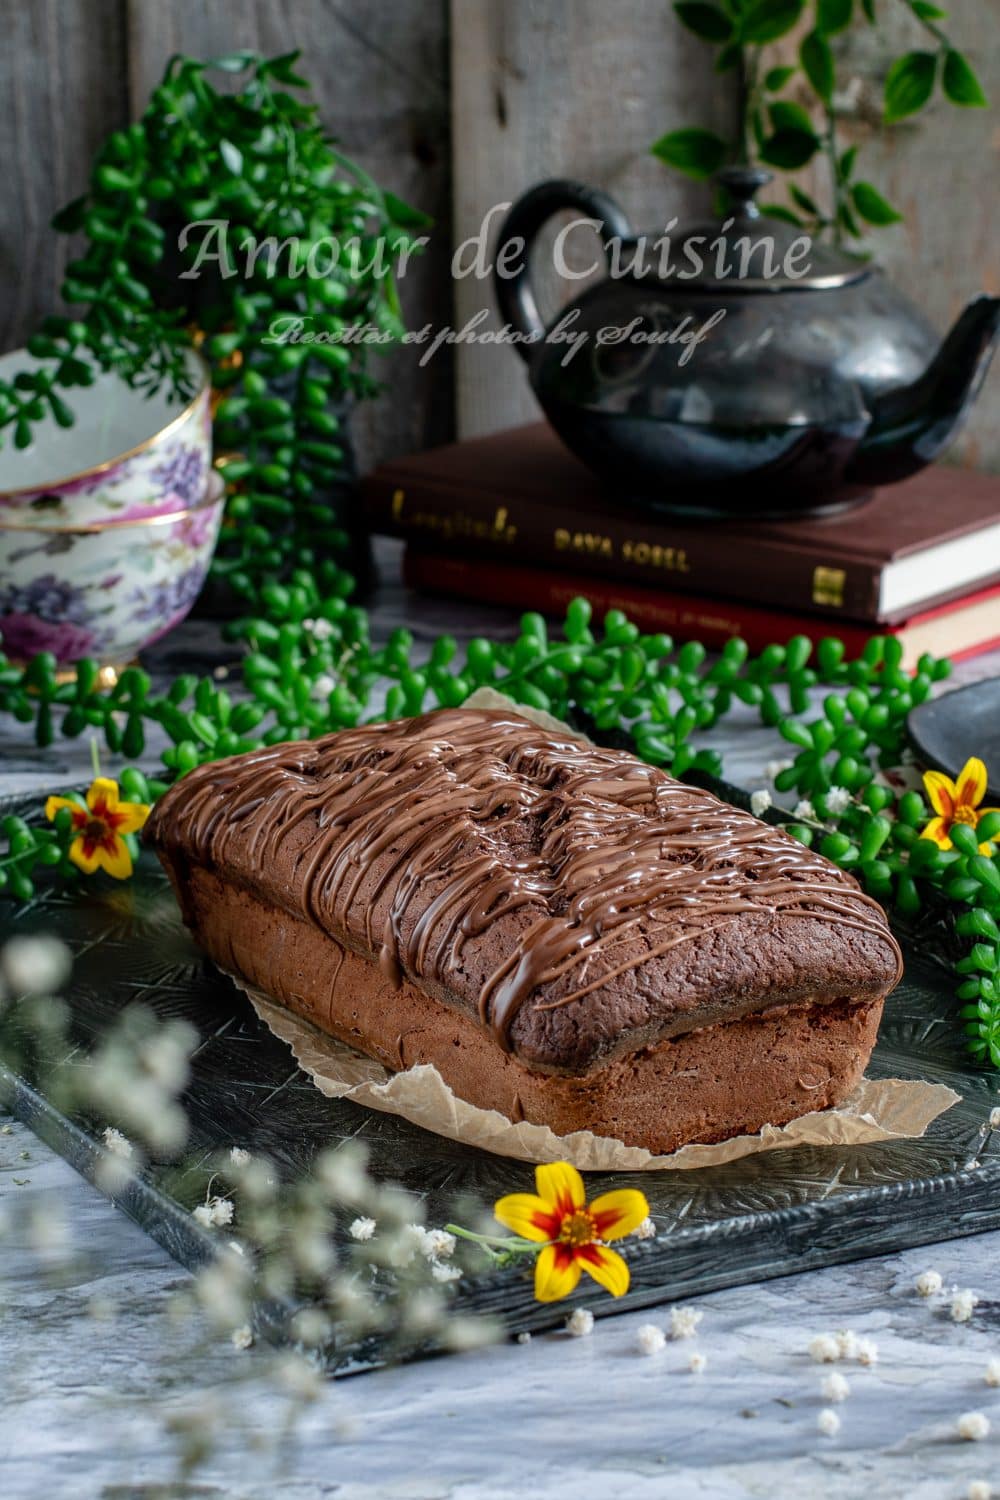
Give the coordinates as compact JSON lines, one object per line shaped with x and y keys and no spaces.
{"x":749,"y":251}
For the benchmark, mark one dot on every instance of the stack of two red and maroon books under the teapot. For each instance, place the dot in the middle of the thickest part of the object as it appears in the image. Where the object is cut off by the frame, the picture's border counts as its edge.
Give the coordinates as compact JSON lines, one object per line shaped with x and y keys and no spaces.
{"x":515,"y":520}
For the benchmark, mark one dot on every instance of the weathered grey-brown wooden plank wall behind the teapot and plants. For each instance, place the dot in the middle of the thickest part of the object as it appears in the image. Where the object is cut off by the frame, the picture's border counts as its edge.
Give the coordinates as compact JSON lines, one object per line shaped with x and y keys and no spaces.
{"x":463,"y":106}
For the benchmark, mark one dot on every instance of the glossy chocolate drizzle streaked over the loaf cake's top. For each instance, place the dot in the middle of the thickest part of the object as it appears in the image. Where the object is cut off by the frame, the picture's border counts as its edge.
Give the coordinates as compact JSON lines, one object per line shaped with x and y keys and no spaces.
{"x":493,"y":814}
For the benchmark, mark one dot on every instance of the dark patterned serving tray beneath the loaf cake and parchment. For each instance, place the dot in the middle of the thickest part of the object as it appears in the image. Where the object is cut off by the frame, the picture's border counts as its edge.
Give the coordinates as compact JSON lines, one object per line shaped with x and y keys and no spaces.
{"x":765,"y":1216}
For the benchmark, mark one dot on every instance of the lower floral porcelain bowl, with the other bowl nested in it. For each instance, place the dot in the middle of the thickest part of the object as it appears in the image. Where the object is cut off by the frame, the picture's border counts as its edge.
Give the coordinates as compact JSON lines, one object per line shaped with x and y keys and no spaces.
{"x":104,"y":590}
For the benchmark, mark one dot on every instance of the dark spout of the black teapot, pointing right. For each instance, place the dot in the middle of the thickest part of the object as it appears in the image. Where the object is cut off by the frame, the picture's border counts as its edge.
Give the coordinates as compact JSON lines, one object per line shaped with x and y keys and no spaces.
{"x":912,"y":427}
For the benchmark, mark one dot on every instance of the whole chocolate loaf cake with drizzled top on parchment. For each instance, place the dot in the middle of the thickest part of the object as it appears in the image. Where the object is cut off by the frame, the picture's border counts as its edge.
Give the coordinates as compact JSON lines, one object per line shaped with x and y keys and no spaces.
{"x":567,"y":934}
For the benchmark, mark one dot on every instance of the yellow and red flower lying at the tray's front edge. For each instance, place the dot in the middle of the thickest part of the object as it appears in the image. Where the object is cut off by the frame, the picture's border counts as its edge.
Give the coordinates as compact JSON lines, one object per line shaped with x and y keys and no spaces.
{"x":572,"y":1231}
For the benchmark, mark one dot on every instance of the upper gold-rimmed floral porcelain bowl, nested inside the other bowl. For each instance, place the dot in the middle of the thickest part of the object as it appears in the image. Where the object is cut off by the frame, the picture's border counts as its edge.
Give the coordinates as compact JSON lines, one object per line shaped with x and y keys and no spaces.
{"x":127,"y":457}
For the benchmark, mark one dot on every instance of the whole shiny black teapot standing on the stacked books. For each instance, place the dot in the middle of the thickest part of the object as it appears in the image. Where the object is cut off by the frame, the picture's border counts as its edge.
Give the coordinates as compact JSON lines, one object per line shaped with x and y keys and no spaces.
{"x":737,"y":367}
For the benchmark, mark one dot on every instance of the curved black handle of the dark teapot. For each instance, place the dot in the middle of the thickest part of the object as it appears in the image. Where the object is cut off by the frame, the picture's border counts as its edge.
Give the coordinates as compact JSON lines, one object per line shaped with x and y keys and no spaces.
{"x":515,"y":293}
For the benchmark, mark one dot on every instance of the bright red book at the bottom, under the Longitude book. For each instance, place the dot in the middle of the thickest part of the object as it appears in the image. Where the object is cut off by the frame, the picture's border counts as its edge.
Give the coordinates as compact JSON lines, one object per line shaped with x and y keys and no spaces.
{"x":959,"y":629}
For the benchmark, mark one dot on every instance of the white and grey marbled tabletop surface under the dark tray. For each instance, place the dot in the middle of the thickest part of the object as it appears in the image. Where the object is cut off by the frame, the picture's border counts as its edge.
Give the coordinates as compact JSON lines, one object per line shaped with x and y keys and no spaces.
{"x":98,"y":1373}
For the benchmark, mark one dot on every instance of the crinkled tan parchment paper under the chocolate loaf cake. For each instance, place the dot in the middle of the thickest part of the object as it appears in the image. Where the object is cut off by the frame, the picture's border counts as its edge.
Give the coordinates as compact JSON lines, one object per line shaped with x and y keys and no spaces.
{"x":879,"y":1109}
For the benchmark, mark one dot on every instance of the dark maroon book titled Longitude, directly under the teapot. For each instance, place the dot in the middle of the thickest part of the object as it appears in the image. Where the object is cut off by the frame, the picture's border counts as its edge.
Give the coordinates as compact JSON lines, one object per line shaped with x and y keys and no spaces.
{"x":519,"y":497}
